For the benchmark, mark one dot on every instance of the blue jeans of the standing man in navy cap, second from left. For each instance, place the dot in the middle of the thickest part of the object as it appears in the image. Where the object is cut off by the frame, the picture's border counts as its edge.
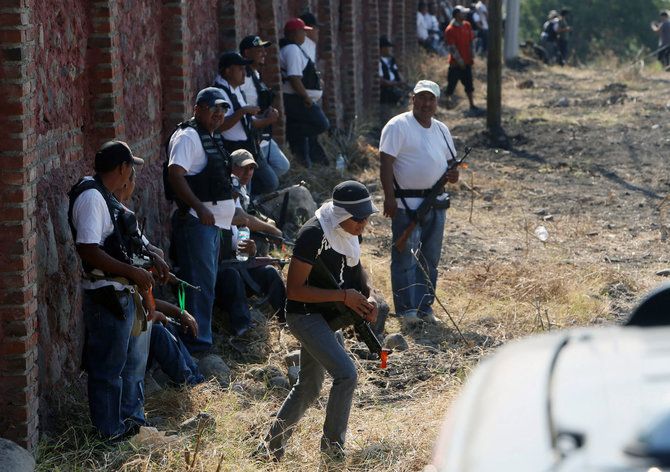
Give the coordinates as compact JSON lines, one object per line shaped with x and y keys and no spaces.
{"x":197,"y":255}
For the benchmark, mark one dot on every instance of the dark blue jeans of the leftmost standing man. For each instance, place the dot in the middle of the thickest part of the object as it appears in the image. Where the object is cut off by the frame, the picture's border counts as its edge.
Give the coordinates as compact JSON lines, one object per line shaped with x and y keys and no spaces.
{"x":116,"y":365}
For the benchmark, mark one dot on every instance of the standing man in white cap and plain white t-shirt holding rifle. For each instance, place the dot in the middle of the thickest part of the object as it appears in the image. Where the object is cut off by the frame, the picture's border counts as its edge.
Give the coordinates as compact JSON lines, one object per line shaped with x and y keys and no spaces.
{"x":415,"y":151}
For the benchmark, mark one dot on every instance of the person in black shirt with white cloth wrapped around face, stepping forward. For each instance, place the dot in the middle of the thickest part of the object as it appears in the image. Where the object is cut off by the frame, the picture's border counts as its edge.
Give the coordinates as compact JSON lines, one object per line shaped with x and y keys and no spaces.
{"x":327,"y":254}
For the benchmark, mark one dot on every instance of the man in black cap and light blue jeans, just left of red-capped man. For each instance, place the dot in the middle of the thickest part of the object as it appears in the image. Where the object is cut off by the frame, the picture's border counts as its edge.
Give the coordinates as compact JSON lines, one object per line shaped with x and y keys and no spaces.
{"x":272,"y":162}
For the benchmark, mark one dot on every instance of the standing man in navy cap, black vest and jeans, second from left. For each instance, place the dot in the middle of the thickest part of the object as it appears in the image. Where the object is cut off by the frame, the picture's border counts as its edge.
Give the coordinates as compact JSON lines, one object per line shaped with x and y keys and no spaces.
{"x":199,"y":175}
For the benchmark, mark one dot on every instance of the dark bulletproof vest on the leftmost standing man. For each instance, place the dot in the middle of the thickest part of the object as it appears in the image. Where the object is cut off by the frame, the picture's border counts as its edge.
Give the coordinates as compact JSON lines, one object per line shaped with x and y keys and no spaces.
{"x":125,"y":240}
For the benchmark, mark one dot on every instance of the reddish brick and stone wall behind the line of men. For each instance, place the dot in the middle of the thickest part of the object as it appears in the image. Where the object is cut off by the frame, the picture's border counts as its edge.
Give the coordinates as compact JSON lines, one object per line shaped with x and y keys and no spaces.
{"x":75,"y":74}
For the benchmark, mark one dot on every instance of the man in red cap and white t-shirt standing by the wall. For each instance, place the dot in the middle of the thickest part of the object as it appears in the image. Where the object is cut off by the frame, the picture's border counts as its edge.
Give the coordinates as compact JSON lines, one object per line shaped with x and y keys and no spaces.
{"x":305,"y":119}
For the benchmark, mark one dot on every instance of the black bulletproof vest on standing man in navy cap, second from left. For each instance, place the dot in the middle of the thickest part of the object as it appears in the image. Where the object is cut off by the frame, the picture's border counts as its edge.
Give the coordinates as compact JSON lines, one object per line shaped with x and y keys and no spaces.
{"x":211,"y":184}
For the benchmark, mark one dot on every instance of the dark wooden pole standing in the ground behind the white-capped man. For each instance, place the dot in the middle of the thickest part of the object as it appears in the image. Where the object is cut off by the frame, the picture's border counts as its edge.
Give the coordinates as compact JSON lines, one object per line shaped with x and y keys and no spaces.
{"x":494,"y":75}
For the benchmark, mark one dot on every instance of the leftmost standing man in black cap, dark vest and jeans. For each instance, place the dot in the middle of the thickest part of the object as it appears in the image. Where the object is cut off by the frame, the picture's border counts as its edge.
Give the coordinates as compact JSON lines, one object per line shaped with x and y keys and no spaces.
{"x":115,"y":350}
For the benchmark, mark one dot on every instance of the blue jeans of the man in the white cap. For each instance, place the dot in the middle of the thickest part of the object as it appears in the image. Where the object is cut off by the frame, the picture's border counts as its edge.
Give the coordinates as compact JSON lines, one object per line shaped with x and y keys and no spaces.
{"x":412,"y":290}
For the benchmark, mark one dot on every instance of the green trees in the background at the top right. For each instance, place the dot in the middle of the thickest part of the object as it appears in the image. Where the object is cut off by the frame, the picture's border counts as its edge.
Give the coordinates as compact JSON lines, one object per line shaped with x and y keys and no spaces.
{"x":599,"y":26}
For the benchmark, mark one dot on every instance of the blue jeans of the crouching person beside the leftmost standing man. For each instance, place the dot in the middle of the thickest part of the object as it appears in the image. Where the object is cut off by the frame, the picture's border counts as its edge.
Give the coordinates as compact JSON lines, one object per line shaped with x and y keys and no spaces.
{"x":171,"y":354}
